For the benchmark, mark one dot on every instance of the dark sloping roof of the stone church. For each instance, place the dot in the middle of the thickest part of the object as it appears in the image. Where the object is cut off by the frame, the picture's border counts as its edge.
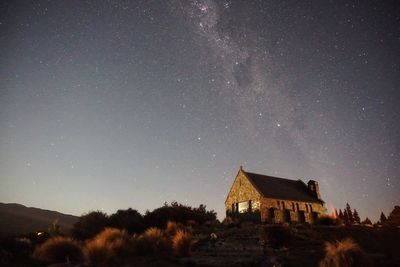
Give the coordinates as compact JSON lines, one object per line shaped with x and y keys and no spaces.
{"x":280,"y":188}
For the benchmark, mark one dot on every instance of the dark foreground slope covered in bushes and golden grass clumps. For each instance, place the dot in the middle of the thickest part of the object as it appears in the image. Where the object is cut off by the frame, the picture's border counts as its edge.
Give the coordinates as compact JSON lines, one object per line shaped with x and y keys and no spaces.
{"x":178,"y":235}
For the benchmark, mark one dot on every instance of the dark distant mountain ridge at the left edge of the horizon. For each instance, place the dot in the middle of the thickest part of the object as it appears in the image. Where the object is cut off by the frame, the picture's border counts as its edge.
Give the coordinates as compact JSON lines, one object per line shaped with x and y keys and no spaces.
{"x":18,"y":219}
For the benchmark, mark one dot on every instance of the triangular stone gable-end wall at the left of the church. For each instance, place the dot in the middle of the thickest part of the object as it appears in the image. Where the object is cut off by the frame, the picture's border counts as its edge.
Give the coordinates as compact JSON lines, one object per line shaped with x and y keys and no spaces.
{"x":242,"y":190}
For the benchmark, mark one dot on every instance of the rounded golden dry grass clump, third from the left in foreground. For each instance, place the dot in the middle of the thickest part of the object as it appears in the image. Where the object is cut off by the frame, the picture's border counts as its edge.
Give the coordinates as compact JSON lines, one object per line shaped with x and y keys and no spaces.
{"x":153,"y":242}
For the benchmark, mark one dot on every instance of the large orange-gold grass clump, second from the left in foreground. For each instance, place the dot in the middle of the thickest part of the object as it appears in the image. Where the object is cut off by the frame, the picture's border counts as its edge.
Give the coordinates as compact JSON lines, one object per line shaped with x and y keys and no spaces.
{"x":108,"y":248}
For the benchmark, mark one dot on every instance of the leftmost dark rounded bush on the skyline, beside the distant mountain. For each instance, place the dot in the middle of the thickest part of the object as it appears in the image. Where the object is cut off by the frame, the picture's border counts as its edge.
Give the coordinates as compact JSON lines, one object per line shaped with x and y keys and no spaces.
{"x":90,"y":224}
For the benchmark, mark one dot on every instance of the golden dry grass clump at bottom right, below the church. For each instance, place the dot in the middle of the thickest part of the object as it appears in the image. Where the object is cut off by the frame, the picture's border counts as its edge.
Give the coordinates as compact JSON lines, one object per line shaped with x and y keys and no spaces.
{"x":345,"y":253}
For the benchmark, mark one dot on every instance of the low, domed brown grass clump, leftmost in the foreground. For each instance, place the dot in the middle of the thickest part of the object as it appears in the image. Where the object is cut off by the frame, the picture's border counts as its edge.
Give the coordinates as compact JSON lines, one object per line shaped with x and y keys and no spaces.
{"x":58,"y":249}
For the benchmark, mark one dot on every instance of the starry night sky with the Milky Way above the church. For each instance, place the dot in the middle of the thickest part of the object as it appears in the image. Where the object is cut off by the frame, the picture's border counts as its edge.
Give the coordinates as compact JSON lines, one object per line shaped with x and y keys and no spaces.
{"x":115,"y":104}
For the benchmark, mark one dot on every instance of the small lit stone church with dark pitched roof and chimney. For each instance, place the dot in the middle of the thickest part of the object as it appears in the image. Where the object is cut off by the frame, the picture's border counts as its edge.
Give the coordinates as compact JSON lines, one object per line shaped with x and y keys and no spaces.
{"x":278,"y":200}
